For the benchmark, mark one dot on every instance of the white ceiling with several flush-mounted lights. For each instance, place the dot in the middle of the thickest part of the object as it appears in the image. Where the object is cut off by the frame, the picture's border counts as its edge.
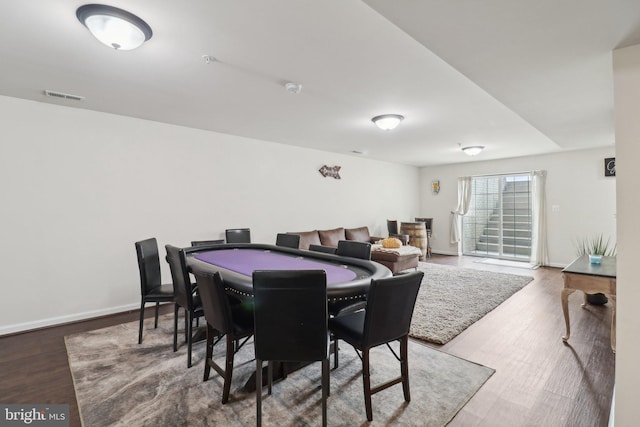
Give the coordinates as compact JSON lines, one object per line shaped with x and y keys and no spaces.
{"x":520,"y":78}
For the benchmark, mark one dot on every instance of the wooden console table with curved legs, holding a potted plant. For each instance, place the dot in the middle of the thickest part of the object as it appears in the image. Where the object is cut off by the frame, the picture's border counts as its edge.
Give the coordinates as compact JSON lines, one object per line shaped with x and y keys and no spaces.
{"x":583,"y":276}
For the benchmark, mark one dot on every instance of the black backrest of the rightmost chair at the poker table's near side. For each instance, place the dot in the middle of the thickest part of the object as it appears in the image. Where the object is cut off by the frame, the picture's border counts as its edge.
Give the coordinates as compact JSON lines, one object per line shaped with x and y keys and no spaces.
{"x":390,"y":304}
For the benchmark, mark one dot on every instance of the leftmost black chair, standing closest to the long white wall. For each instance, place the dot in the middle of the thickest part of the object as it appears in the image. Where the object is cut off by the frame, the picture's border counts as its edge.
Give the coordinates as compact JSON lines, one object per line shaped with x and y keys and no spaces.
{"x":152,"y":289}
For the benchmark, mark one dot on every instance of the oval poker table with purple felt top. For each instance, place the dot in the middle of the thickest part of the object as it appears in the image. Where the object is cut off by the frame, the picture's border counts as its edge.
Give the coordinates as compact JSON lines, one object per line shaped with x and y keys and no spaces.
{"x":347,"y":278}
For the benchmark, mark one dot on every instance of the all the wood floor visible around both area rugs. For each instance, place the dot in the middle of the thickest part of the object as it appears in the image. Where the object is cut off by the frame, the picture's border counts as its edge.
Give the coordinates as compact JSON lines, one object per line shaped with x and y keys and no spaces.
{"x":539,"y":381}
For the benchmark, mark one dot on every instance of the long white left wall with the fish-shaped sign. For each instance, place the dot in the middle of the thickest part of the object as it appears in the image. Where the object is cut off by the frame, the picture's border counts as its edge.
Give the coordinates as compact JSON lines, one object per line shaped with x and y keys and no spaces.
{"x":78,"y":188}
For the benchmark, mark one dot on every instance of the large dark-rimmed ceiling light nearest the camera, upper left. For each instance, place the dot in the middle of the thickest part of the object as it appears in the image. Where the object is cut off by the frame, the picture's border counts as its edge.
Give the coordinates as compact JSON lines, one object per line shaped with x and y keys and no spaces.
{"x":114,"y":27}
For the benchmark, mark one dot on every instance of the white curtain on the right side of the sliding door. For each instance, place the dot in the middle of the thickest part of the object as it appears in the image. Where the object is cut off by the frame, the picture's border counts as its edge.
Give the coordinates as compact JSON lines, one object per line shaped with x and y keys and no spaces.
{"x":539,"y":255}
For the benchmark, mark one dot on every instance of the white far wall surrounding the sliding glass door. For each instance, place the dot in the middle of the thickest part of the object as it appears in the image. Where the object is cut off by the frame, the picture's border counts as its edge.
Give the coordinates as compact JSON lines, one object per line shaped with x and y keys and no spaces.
{"x":575,"y":183}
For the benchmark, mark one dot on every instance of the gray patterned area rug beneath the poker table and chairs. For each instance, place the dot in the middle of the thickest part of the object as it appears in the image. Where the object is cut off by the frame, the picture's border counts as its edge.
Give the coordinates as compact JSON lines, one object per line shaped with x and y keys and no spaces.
{"x":121,"y":383}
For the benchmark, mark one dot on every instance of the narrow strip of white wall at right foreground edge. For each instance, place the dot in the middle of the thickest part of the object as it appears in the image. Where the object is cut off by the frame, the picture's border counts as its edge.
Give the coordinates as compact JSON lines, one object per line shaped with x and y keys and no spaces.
{"x":626,"y":65}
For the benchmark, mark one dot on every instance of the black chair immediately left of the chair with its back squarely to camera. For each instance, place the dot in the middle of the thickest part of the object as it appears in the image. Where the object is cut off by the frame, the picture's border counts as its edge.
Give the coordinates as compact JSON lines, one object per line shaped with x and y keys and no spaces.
{"x":234,"y":321}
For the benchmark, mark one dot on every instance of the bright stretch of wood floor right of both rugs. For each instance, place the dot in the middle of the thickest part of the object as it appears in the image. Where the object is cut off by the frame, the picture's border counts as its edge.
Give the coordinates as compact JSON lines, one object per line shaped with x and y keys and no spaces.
{"x":539,"y":380}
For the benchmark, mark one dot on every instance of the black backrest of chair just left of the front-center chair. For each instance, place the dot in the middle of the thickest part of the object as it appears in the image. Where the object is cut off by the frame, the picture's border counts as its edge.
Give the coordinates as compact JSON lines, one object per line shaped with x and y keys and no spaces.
{"x":215,"y":302}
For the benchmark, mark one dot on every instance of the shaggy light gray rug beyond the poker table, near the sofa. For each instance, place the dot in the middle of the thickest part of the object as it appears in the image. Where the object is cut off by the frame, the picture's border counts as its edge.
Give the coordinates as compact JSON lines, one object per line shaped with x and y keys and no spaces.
{"x":451,"y":299}
